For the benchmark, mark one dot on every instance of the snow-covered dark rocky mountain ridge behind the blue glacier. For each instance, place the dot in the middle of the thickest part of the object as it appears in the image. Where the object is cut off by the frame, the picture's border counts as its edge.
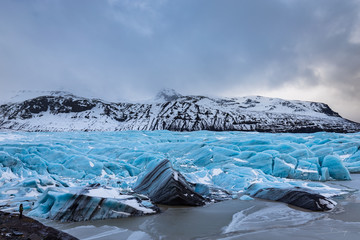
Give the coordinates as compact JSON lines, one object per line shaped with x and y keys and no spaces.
{"x":61,"y":111}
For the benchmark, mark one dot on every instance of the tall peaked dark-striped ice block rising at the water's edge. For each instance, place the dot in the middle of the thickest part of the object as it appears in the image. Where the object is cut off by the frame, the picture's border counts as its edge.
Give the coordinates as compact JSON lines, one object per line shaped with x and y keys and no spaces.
{"x":164,"y":185}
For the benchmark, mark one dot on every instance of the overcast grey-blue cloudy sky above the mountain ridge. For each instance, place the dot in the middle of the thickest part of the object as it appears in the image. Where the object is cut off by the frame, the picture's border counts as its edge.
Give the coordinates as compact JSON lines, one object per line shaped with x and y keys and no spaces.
{"x":130,"y":49}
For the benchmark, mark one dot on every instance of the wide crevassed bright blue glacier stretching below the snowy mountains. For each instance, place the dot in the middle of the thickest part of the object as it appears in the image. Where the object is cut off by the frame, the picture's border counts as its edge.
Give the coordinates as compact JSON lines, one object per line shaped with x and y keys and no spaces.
{"x":44,"y":170}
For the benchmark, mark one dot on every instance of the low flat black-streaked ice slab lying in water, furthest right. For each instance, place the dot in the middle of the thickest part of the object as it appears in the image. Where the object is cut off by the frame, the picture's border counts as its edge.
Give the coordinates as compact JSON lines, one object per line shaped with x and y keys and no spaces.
{"x":295,"y":196}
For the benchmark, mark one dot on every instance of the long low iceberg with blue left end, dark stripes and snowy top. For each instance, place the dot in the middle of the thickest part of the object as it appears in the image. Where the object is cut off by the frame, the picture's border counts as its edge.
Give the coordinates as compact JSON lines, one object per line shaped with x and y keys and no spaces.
{"x":92,"y":202}
